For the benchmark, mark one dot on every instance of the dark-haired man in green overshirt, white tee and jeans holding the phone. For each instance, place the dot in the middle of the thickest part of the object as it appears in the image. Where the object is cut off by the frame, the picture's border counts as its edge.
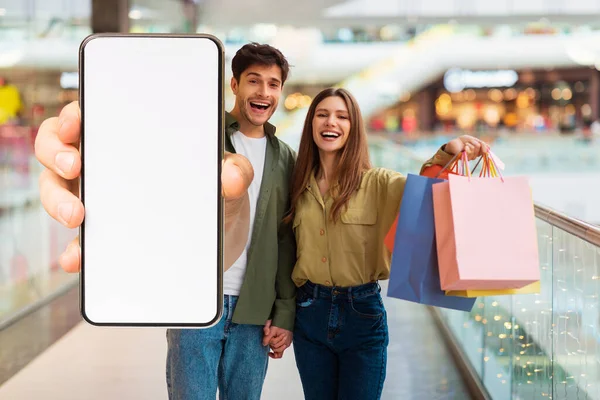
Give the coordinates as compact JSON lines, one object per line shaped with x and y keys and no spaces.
{"x":259,"y":303}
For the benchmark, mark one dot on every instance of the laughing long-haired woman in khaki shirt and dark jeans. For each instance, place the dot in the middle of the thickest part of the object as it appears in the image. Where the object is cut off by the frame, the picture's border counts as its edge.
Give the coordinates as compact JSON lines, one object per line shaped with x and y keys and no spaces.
{"x":341,"y":210}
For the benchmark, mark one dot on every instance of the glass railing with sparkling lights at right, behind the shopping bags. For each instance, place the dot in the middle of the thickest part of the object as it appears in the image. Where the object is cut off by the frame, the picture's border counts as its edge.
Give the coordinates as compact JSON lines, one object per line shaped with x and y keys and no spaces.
{"x":537,"y":346}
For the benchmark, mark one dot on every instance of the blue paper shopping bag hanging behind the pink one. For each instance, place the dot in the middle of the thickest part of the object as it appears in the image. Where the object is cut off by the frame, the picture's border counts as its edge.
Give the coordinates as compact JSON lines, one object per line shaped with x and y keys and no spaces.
{"x":414,"y":274}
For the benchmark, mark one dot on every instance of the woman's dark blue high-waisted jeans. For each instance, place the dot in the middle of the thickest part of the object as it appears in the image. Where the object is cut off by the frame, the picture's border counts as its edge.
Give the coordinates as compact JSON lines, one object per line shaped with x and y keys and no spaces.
{"x":340,"y":342}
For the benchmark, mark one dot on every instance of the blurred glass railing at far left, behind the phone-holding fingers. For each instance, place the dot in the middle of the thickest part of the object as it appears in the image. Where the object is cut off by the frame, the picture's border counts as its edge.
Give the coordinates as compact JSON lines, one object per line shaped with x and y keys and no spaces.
{"x":31,"y":241}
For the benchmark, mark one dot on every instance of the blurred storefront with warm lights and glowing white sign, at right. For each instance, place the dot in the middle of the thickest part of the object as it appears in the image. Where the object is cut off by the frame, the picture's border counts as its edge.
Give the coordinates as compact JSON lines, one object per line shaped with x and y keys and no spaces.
{"x":526,"y":101}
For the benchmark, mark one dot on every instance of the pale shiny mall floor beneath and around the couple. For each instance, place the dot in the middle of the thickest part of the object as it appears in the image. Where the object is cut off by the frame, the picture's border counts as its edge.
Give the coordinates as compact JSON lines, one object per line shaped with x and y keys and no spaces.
{"x":94,"y":363}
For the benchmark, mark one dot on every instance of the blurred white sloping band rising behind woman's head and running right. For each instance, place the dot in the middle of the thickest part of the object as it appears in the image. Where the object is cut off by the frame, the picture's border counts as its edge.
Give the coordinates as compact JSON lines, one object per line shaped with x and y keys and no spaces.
{"x":428,"y":56}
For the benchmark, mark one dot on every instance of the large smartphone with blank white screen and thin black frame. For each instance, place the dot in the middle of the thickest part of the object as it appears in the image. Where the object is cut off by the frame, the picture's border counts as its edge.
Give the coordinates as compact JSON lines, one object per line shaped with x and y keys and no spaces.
{"x":152,"y":147}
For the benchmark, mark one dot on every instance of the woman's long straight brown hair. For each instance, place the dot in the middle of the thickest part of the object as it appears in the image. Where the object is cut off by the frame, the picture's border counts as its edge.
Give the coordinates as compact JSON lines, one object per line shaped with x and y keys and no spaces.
{"x":353,"y":158}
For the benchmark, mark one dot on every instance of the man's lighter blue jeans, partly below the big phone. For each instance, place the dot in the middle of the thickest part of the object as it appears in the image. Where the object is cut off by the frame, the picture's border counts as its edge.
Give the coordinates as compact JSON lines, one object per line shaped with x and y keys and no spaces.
{"x":227,"y":356}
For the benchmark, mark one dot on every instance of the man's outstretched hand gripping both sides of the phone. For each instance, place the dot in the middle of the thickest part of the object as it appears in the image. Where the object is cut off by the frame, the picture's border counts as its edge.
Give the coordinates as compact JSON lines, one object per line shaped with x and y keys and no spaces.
{"x":57,"y":148}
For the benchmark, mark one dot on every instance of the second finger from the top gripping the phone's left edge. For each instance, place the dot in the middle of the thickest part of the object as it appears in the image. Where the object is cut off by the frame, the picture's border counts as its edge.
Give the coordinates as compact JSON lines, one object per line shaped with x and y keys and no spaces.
{"x":60,"y":157}
